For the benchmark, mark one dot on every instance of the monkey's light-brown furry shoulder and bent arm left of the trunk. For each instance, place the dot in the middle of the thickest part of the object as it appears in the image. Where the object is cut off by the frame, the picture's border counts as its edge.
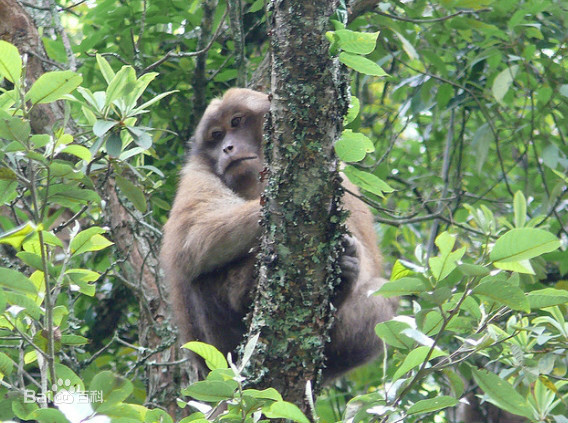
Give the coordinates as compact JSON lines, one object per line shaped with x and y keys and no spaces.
{"x":209,"y":225}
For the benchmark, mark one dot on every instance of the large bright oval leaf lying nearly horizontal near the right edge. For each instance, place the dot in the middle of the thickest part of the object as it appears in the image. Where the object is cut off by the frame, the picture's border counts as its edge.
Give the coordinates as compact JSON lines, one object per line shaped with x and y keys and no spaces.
{"x":522,"y":244}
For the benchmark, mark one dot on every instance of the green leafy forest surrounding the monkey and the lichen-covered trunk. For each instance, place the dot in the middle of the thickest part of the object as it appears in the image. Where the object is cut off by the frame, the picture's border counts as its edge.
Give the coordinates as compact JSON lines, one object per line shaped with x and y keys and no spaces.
{"x":456,"y":135}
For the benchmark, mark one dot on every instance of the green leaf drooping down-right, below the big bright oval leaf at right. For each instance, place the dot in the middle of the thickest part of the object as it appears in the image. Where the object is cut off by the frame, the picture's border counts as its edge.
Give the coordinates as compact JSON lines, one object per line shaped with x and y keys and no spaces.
{"x":503,"y":291}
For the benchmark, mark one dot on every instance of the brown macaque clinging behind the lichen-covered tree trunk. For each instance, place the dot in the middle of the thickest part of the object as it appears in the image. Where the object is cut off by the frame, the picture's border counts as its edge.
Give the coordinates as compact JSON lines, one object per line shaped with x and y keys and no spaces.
{"x":212,"y":236}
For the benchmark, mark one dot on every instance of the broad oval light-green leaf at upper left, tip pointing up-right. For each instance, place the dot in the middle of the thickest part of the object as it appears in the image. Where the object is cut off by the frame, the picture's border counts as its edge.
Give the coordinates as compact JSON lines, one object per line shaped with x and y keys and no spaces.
{"x":52,"y":86}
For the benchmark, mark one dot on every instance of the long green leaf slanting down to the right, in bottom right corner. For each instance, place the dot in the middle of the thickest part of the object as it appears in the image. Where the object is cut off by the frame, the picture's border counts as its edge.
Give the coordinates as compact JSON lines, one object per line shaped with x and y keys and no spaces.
{"x":502,"y":394}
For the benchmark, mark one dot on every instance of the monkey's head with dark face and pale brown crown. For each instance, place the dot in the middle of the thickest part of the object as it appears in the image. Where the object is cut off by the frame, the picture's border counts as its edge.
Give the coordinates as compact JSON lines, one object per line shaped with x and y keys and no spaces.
{"x":229,"y":139}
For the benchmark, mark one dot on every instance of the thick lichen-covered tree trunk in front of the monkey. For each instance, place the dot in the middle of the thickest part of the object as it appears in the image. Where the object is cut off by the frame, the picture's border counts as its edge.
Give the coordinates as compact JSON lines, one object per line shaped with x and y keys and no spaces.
{"x":301,"y":219}
